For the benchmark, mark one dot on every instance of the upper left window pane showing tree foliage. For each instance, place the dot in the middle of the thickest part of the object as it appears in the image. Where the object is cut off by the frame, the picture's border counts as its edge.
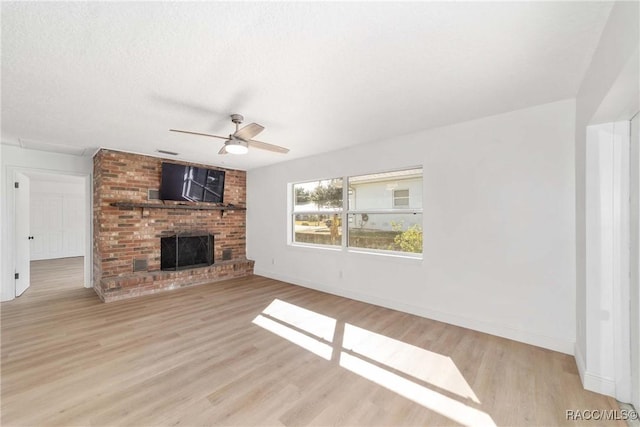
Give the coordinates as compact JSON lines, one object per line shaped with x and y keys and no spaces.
{"x":324,"y":195}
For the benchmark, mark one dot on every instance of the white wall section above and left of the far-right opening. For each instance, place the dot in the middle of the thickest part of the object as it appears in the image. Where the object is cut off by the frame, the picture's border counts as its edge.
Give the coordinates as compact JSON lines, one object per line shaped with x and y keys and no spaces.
{"x":618,"y":46}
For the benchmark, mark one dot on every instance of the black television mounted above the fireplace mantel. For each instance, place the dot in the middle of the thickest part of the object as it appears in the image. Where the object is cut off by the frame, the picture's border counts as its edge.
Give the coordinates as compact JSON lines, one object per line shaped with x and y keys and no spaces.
{"x":191,"y":183}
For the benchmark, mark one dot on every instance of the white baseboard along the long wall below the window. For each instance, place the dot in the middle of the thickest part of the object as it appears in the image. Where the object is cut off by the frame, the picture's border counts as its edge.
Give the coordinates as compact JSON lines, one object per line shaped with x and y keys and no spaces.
{"x":526,"y":337}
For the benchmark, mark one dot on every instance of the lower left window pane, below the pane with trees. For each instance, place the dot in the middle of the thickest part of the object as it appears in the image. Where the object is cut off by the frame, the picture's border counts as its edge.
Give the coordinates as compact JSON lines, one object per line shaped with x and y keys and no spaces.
{"x":320,"y":229}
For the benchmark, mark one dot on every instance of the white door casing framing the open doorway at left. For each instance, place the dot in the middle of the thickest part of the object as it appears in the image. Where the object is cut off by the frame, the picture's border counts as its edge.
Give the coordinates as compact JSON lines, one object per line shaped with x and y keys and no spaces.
{"x":8,"y":291}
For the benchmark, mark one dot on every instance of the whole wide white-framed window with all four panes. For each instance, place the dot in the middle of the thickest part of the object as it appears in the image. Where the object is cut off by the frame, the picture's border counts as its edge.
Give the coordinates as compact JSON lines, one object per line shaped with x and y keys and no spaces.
{"x":382,"y":212}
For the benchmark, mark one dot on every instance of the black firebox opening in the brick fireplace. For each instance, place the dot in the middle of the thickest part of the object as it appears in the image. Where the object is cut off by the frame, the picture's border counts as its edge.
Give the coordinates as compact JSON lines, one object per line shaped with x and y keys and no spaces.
{"x":179,"y":252}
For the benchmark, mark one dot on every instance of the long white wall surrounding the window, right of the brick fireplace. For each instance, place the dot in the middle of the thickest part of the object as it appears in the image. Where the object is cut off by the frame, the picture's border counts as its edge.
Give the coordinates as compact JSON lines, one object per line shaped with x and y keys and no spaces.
{"x":498,"y":218}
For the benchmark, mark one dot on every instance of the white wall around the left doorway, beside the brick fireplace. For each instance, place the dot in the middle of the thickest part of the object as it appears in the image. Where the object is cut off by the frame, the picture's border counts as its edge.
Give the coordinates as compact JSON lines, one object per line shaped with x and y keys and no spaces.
{"x":19,"y":159}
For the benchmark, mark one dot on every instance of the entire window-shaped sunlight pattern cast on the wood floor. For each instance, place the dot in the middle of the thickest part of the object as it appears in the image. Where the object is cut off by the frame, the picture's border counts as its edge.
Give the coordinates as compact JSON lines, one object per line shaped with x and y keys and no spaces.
{"x":375,"y":357}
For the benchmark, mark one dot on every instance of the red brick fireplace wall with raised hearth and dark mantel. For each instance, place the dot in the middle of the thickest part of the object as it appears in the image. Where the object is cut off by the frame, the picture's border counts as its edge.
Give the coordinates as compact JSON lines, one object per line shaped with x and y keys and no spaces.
{"x":129,"y":228}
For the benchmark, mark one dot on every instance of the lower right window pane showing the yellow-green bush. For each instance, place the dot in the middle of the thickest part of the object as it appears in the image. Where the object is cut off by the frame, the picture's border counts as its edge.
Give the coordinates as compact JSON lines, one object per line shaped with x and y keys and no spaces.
{"x":391,"y":232}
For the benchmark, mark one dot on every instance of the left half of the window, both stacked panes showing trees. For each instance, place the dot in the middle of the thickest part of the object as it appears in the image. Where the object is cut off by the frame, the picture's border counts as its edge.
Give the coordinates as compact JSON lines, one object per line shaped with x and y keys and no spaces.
{"x":317,"y":212}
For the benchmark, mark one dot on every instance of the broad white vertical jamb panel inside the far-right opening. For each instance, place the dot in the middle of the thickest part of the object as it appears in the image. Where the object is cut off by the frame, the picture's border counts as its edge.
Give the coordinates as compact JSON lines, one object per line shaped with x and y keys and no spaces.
{"x":607,"y":367}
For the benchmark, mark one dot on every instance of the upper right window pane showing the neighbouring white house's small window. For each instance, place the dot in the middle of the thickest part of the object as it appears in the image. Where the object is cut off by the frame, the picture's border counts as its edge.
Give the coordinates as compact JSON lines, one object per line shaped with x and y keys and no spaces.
{"x":389,"y":190}
